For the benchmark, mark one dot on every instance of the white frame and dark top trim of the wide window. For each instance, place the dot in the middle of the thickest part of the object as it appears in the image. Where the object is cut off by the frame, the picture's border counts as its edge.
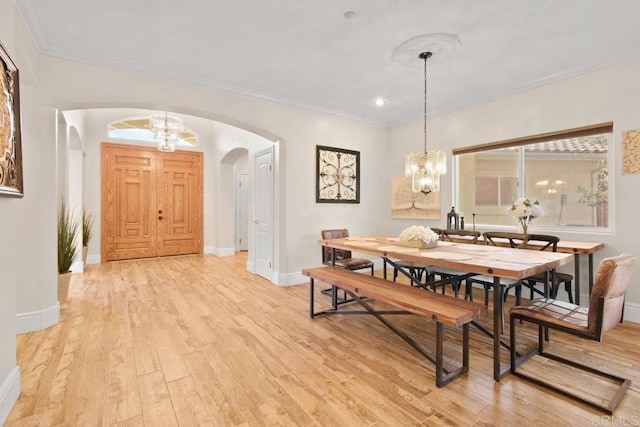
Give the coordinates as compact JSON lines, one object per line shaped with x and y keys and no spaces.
{"x":590,"y":130}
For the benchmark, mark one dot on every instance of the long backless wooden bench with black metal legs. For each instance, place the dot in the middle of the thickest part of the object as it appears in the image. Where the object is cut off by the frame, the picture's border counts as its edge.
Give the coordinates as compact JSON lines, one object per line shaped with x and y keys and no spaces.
{"x":443,"y":309}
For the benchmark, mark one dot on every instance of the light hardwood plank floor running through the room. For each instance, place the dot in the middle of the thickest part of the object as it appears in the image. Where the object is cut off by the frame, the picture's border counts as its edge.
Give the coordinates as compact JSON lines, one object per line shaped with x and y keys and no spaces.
{"x":195,"y":340}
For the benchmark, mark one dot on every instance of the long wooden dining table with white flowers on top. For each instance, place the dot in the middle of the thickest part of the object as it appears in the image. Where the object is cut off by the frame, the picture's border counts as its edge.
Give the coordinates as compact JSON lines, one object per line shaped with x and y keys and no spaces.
{"x":496,"y":261}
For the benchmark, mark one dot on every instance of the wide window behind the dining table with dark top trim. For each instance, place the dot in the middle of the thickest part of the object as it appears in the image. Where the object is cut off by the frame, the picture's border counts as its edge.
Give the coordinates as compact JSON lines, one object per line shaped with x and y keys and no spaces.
{"x":566,"y":171}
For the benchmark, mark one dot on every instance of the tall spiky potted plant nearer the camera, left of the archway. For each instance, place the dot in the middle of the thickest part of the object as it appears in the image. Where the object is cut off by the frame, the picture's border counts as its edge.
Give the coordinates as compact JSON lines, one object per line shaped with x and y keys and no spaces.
{"x":68,"y":227}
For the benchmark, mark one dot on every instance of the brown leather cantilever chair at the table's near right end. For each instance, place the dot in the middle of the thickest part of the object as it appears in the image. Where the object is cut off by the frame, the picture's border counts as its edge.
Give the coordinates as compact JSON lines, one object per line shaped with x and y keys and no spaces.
{"x":604,"y":312}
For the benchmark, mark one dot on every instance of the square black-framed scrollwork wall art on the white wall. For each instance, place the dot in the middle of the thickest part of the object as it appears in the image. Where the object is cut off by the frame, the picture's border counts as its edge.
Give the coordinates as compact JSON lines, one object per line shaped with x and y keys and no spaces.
{"x":338,"y":175}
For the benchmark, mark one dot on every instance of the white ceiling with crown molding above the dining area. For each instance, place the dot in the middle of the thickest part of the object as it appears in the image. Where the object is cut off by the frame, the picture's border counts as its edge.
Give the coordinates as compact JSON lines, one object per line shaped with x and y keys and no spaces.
{"x":305,"y":53}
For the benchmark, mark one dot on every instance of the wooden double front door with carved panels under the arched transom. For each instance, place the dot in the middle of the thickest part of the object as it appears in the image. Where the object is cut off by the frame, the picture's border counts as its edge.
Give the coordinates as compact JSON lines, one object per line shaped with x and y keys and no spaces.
{"x":151,"y":202}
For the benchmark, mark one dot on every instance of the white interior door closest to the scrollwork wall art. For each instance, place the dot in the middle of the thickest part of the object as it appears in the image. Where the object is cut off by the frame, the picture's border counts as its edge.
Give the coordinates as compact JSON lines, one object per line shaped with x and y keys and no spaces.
{"x":263,"y":220}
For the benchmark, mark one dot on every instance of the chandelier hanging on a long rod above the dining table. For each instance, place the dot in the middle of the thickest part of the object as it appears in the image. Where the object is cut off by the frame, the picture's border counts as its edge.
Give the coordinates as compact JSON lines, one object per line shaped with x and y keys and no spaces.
{"x":425,"y":168}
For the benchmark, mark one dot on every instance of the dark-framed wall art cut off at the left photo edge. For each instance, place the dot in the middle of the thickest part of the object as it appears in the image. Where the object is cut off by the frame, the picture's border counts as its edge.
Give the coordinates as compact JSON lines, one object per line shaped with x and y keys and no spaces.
{"x":10,"y":140}
